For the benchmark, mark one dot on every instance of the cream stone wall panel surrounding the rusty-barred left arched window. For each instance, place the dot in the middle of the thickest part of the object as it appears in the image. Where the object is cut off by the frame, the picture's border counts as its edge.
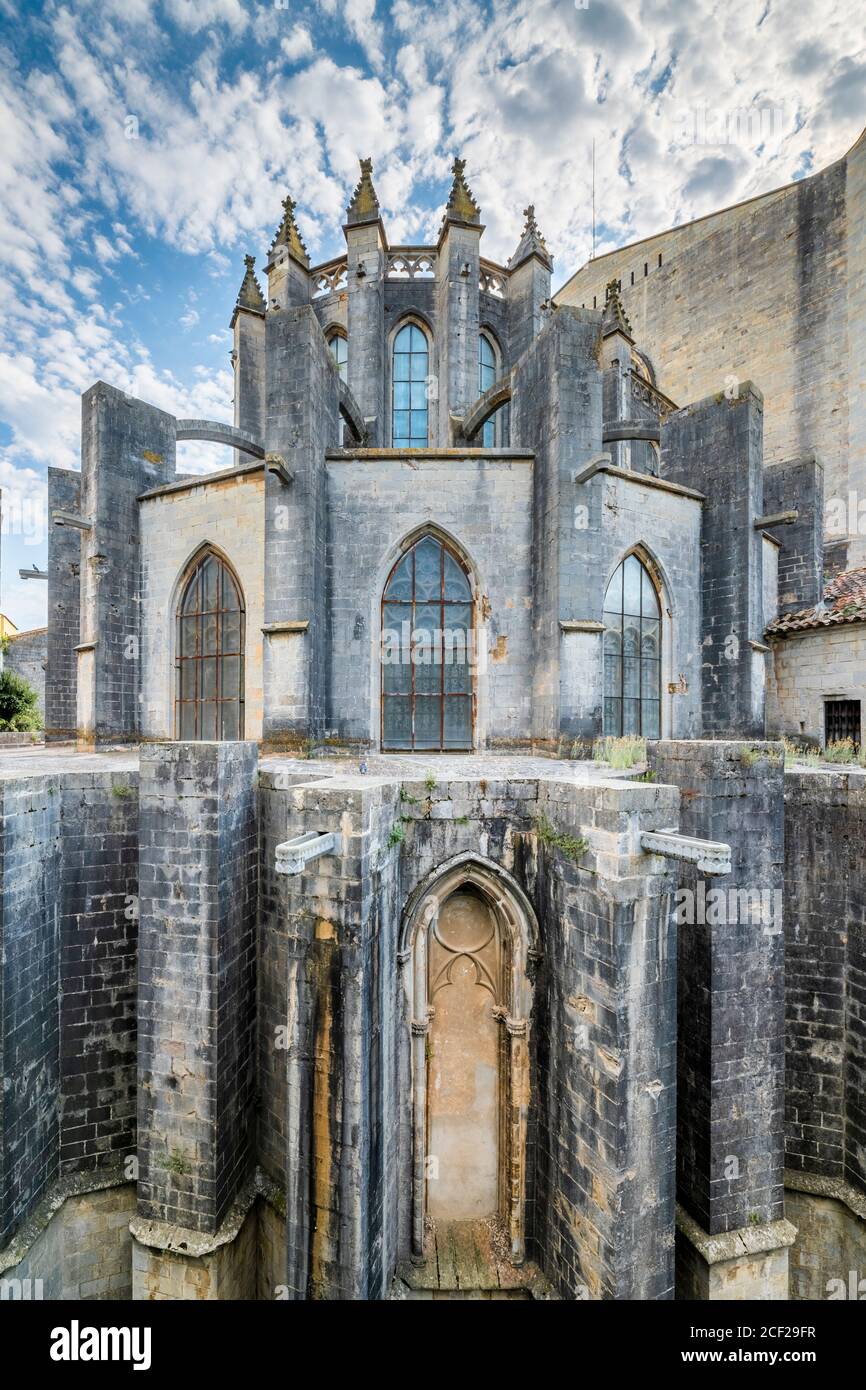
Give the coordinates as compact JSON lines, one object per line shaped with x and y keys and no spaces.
{"x":229,"y":515}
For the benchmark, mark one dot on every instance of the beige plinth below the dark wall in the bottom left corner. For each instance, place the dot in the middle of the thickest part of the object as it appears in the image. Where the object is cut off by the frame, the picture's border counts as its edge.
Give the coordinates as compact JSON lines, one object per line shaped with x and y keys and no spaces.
{"x":84,"y":1252}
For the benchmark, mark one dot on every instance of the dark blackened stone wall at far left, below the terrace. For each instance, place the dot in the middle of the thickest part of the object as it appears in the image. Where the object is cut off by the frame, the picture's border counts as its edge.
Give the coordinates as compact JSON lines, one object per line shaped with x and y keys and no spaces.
{"x":69,"y":931}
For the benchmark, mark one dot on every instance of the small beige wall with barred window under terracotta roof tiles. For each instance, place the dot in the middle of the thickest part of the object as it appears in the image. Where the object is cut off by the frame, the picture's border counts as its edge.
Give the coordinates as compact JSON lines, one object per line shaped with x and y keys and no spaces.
{"x":811,"y":668}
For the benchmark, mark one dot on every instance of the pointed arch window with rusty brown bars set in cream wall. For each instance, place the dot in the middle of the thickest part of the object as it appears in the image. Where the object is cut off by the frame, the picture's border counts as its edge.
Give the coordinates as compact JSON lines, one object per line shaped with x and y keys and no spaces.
{"x":211,"y":635}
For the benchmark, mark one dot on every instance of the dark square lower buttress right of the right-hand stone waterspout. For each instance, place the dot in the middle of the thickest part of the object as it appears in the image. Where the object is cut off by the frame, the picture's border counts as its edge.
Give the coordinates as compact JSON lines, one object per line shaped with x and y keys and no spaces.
{"x":730,"y":985}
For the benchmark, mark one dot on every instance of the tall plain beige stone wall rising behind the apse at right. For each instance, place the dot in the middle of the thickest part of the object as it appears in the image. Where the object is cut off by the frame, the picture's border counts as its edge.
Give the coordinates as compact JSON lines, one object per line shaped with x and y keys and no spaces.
{"x":771,"y":291}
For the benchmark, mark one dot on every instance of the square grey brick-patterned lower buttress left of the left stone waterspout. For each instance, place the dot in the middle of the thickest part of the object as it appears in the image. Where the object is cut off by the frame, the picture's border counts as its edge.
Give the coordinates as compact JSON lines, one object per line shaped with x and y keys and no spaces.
{"x":197,"y":979}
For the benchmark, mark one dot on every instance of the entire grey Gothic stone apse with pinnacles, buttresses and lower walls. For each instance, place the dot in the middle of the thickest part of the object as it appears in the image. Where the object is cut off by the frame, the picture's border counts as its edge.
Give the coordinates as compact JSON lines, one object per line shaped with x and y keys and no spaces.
{"x":334,"y":965}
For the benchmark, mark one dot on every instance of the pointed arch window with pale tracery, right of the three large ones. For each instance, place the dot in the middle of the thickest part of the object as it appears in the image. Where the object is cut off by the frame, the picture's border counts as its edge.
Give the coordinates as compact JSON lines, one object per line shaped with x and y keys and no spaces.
{"x":633,"y":653}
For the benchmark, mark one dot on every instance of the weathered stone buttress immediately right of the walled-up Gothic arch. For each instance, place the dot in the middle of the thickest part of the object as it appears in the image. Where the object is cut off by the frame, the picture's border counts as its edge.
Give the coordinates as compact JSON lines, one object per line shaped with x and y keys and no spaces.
{"x":607,"y":1050}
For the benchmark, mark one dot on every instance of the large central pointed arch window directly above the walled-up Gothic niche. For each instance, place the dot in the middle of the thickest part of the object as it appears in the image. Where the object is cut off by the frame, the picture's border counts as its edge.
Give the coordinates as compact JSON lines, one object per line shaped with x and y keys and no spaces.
{"x":427,"y":651}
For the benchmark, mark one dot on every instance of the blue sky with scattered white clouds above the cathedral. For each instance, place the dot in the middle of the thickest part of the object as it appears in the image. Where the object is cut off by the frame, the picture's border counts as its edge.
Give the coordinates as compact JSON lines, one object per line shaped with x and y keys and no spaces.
{"x":147,"y":145}
